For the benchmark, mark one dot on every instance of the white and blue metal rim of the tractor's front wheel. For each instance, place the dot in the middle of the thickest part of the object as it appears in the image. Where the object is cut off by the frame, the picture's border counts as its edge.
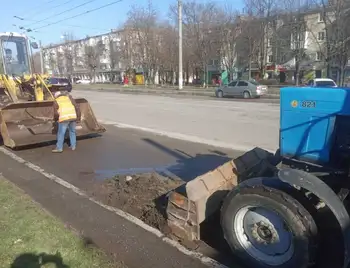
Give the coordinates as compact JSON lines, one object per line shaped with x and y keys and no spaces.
{"x":264,"y":235}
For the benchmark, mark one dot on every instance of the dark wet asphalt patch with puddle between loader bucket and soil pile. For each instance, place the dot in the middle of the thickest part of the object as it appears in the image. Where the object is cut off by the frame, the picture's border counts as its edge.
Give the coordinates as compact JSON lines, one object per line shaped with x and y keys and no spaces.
{"x":123,"y":151}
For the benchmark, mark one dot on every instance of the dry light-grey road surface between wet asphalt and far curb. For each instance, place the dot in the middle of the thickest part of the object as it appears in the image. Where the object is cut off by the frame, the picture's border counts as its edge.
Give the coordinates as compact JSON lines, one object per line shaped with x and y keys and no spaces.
{"x":241,"y":125}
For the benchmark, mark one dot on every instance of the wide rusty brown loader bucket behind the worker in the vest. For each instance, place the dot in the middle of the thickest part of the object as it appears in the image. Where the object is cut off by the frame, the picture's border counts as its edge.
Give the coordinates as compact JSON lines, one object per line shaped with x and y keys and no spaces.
{"x":29,"y":123}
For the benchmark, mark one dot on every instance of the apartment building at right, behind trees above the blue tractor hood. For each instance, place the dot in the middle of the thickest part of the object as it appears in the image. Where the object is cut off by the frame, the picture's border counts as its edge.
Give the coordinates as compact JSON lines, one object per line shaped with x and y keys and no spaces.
{"x":301,"y":37}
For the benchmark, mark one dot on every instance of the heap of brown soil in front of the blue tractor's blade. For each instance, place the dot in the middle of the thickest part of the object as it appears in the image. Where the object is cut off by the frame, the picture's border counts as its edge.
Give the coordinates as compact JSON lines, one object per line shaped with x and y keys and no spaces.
{"x":143,"y":196}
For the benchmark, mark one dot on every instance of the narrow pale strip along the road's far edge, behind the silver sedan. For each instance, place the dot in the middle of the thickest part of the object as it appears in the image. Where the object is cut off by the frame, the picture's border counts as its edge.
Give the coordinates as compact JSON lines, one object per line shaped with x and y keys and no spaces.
{"x":187,"y":90}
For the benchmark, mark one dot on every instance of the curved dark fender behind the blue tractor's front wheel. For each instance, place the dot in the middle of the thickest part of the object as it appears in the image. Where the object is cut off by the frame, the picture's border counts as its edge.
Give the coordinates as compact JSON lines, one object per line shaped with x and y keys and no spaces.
{"x":313,"y":184}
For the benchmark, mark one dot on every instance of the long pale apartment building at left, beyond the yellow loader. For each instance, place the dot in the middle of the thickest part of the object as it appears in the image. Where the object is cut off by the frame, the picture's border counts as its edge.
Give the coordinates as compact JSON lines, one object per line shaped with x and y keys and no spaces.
{"x":99,"y":57}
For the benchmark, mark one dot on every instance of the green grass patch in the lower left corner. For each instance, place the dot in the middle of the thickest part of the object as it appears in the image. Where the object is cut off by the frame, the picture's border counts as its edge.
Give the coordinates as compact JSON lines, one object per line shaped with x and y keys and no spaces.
{"x":31,"y":237}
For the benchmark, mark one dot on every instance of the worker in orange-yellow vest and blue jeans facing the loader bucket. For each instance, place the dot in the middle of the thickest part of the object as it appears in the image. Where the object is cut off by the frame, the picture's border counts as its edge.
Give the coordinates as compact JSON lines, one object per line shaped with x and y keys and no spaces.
{"x":66,"y":113}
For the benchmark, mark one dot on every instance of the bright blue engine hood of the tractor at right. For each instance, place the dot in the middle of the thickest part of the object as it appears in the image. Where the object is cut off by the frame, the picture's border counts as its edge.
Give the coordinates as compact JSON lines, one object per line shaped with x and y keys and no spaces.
{"x":315,"y":125}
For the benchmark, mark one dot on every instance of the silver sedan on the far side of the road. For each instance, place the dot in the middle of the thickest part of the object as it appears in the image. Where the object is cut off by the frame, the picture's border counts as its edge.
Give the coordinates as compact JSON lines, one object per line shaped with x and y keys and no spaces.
{"x":241,"y":88}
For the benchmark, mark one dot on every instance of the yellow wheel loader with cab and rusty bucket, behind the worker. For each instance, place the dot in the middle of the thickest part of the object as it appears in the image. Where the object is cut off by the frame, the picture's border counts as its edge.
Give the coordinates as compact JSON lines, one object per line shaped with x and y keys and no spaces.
{"x":26,"y":102}
